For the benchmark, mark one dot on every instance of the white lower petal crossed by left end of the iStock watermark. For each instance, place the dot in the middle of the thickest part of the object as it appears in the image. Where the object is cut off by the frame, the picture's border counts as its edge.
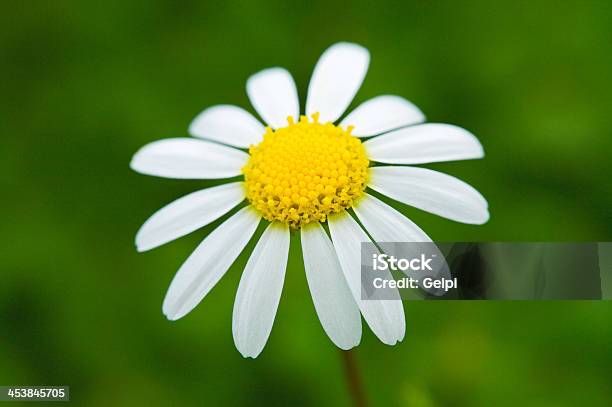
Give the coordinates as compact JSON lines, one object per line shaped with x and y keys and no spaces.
{"x":384,"y":317}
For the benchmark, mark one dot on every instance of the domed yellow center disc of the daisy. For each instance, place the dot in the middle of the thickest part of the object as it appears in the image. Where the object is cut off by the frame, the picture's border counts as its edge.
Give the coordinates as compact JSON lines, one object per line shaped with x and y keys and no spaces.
{"x":304,"y":172}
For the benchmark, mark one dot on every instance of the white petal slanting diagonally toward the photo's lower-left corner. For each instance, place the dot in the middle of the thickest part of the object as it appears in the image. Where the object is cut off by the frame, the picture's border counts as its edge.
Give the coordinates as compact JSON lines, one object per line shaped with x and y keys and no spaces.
{"x":209,"y":262}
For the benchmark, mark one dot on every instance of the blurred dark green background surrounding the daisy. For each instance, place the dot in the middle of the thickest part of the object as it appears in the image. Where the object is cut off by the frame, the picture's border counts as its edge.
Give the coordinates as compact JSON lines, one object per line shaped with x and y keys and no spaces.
{"x":85,"y":84}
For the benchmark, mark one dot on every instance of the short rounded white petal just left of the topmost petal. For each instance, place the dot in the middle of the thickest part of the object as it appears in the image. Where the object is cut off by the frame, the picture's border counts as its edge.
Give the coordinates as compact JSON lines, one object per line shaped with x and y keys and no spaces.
{"x":274,"y":96}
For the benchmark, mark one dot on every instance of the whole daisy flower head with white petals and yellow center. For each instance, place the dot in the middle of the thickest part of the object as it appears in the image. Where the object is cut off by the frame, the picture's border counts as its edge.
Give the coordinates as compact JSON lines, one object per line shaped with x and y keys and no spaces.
{"x":299,"y":172}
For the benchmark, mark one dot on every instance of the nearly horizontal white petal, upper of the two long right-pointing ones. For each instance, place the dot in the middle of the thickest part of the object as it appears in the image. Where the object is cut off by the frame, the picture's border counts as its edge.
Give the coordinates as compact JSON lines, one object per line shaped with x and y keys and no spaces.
{"x":427,"y":143}
